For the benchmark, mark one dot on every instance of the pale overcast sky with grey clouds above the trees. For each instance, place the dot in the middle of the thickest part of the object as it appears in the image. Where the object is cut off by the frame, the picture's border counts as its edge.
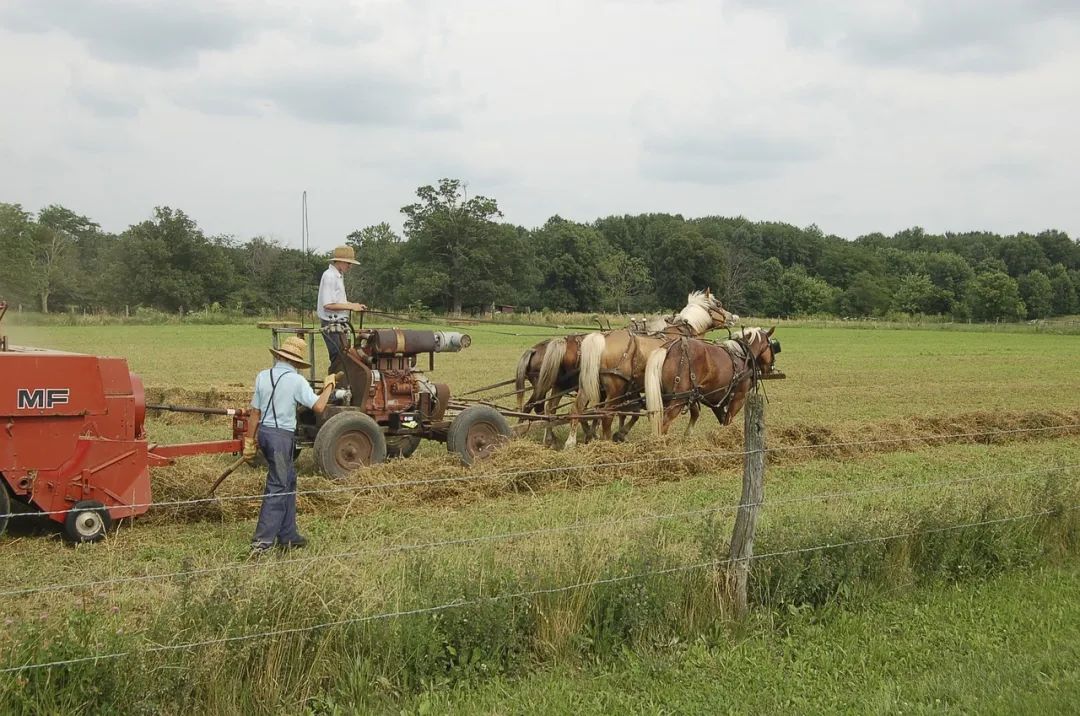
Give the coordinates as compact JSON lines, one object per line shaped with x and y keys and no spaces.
{"x":855,"y":115}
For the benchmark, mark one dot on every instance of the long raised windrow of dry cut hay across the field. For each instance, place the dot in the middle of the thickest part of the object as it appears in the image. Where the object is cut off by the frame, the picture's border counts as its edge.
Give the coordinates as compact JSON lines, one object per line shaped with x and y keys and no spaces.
{"x":528,"y":467}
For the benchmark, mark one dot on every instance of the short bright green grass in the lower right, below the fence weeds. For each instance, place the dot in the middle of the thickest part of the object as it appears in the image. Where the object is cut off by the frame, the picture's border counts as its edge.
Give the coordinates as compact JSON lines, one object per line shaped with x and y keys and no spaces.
{"x":1010,"y":645}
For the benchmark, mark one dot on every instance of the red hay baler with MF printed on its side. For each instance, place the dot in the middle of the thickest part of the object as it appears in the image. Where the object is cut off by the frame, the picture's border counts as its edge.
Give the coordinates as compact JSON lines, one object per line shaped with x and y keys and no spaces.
{"x":73,"y":442}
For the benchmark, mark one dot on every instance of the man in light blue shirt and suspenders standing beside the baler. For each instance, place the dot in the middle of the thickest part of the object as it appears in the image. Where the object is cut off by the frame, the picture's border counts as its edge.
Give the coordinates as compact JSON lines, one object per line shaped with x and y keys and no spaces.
{"x":273,"y":424}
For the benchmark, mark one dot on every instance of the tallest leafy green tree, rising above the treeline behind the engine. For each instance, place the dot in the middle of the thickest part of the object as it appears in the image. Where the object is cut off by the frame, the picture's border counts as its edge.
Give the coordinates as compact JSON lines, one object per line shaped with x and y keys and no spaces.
{"x":457,"y":253}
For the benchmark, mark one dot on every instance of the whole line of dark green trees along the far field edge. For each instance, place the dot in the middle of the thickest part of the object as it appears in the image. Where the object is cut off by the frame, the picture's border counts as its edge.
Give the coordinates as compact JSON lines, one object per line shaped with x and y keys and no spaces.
{"x":456,"y":255}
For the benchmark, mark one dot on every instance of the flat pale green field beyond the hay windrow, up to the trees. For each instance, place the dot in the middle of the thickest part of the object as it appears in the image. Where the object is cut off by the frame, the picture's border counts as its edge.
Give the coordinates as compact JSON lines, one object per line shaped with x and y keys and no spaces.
{"x":839,"y":377}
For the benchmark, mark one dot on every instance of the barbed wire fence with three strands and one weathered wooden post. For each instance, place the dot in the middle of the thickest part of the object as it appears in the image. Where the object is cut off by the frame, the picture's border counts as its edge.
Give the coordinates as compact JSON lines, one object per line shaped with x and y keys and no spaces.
{"x":737,"y":563}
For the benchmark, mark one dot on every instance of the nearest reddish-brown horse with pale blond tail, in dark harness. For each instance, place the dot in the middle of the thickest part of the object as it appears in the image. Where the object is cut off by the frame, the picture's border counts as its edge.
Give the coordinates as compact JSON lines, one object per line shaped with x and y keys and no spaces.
{"x":692,"y":373}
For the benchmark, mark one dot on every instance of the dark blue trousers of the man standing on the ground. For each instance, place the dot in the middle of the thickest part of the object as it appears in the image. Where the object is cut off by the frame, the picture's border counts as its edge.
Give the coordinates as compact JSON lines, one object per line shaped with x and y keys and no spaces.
{"x":278,"y":516}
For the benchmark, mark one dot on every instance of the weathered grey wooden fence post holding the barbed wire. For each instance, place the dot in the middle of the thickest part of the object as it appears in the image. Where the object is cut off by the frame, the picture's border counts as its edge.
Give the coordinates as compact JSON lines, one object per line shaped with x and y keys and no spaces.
{"x":742,"y":538}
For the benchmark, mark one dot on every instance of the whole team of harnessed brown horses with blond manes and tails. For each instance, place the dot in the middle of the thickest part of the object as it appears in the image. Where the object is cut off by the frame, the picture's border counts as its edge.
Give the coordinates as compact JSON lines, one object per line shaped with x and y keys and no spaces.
{"x":666,"y":359}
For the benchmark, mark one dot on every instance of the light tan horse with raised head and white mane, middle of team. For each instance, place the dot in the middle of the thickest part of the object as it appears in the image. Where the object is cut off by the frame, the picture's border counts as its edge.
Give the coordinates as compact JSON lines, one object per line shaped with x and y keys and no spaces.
{"x":613,"y":364}
